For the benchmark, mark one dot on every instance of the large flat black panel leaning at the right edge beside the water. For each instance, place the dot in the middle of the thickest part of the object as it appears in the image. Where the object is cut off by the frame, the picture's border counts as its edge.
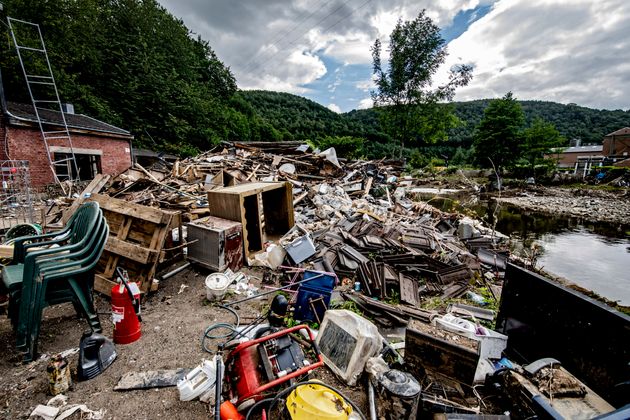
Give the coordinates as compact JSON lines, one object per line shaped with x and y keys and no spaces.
{"x":589,"y":337}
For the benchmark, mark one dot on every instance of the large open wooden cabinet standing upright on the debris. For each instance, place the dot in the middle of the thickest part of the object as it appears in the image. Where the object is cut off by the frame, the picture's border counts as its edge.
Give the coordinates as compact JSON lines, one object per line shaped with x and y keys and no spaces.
{"x":265,"y":209}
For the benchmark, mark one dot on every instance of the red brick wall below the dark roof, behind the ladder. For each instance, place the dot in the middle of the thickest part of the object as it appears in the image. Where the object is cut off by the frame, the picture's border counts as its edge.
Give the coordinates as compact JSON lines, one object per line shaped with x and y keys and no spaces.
{"x":27,"y":144}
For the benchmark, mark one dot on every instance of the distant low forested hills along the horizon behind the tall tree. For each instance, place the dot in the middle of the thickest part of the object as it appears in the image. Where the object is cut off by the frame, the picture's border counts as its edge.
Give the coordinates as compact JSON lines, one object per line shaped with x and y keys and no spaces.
{"x":301,"y":119}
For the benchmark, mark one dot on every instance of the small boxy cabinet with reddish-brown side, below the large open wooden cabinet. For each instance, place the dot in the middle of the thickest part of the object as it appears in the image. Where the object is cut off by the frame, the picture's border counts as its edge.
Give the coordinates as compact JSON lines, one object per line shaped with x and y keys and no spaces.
{"x":216,"y":243}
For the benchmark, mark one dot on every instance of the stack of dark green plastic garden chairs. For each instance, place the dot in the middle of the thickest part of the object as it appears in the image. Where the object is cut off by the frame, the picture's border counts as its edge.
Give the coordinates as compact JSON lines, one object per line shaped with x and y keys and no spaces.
{"x":52,"y":269}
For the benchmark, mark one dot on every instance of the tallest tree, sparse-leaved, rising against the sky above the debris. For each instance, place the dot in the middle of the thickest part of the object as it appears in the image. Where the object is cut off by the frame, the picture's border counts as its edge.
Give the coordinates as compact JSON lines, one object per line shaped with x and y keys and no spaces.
{"x":404,"y":90}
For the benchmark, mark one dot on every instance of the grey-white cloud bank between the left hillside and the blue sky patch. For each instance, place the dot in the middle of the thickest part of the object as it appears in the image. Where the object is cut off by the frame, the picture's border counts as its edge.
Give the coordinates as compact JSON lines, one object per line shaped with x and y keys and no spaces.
{"x":259,"y":42}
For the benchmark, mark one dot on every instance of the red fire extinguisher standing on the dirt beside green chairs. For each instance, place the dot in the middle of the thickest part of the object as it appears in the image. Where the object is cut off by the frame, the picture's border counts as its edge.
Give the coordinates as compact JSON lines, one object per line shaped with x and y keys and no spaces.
{"x":125,"y":309}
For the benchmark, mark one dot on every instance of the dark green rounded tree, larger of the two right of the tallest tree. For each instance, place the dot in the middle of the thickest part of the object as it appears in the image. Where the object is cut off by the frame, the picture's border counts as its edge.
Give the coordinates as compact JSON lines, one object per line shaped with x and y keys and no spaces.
{"x":498,"y":135}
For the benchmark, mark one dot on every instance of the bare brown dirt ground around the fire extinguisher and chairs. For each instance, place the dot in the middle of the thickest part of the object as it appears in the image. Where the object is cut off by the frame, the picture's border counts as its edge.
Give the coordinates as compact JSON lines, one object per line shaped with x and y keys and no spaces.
{"x":173,"y":324}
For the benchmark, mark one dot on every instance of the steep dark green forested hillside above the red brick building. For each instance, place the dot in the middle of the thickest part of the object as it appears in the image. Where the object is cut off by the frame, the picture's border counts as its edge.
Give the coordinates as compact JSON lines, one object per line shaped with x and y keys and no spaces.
{"x":134,"y":65}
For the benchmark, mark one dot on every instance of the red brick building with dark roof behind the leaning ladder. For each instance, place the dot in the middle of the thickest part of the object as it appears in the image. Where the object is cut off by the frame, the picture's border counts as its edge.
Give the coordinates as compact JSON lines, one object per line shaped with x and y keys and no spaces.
{"x":98,"y":147}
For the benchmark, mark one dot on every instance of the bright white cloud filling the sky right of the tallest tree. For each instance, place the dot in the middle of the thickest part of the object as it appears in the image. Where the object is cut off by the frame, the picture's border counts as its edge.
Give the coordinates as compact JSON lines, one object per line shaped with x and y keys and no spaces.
{"x":561,"y":51}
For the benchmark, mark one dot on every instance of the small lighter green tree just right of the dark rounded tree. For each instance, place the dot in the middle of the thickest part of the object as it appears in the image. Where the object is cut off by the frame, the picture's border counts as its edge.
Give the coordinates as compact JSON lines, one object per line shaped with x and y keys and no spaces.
{"x":538,"y":140}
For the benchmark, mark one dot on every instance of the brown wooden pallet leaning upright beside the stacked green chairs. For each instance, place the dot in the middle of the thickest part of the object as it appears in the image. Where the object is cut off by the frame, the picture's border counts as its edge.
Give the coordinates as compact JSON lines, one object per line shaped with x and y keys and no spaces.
{"x":136,"y":238}
